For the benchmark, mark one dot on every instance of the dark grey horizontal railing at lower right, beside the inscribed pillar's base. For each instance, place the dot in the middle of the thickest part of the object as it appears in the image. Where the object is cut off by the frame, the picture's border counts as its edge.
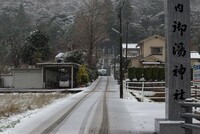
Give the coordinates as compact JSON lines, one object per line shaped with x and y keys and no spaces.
{"x":188,"y":115}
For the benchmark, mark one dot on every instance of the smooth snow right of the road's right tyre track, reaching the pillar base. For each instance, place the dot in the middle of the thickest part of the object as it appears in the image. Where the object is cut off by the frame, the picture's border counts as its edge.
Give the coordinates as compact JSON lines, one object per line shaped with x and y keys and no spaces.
{"x":130,"y":116}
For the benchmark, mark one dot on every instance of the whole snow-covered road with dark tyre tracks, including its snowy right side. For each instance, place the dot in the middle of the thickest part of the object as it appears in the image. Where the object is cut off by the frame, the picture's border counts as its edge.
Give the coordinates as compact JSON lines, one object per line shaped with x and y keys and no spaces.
{"x":99,"y":111}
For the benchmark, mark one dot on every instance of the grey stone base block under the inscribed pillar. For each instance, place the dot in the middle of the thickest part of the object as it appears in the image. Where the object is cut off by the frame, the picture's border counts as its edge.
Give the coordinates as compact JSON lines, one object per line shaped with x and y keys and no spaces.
{"x":163,"y":126}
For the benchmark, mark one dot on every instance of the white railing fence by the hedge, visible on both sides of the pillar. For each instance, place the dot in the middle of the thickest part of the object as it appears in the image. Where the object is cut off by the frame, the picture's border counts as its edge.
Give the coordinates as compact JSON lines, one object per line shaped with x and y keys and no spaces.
{"x":154,"y":90}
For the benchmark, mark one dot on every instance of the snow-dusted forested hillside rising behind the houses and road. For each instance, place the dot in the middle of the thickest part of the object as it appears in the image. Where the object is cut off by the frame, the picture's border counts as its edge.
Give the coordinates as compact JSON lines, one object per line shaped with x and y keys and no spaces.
{"x":81,"y":24}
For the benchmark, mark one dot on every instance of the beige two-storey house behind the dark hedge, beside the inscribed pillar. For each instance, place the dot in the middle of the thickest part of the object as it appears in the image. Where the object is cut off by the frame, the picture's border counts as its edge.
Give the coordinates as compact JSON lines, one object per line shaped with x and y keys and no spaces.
{"x":152,"y":53}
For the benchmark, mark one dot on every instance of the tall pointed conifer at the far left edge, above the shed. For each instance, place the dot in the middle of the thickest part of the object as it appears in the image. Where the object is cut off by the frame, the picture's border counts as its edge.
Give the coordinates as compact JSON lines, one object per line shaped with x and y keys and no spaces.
{"x":12,"y":35}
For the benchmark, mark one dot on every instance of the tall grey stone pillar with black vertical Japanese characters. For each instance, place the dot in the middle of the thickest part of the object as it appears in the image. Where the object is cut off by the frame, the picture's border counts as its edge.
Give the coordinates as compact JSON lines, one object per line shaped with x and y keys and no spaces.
{"x":177,"y":22}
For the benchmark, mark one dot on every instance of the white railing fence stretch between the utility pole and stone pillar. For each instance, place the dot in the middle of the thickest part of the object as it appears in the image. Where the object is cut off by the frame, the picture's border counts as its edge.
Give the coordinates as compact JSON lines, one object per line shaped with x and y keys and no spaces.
{"x":151,"y":90}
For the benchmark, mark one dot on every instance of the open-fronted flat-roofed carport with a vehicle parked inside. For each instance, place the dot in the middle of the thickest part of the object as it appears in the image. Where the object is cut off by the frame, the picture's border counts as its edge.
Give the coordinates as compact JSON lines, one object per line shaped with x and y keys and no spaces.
{"x":54,"y":73}
